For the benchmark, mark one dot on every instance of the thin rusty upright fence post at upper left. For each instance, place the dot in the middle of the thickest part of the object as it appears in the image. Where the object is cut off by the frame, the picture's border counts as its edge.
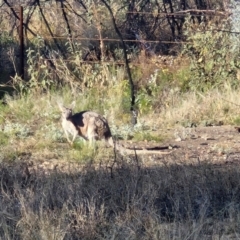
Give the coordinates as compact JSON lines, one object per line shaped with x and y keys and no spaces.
{"x":21,"y":44}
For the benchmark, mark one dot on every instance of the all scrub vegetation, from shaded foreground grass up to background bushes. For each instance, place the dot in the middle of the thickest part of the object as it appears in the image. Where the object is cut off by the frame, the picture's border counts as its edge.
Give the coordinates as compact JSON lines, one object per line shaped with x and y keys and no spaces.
{"x":50,"y":190}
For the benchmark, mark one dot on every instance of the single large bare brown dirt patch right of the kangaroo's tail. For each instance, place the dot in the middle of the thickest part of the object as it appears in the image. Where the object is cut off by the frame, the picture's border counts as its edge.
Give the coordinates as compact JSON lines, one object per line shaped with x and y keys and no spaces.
{"x":216,"y":144}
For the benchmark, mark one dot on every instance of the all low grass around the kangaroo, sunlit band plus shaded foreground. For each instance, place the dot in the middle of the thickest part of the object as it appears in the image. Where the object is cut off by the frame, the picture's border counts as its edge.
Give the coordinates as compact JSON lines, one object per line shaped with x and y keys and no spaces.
{"x":50,"y":190}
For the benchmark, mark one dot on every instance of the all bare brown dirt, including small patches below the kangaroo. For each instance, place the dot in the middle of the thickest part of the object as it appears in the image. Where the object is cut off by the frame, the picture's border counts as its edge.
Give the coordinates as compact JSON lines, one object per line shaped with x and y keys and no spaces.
{"x":218,"y":145}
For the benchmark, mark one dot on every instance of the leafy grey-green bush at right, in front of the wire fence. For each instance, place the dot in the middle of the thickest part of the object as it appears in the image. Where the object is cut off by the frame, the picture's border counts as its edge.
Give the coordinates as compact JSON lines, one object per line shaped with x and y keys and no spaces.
{"x":213,"y":52}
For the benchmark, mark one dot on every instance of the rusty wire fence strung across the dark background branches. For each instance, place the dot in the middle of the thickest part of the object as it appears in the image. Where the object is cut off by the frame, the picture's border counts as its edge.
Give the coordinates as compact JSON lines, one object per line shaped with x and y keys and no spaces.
{"x":57,"y":26}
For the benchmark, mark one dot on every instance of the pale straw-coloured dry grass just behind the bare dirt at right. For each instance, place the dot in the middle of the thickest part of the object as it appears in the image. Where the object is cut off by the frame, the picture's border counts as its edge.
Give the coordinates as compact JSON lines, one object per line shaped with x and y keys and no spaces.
{"x":194,"y":107}
